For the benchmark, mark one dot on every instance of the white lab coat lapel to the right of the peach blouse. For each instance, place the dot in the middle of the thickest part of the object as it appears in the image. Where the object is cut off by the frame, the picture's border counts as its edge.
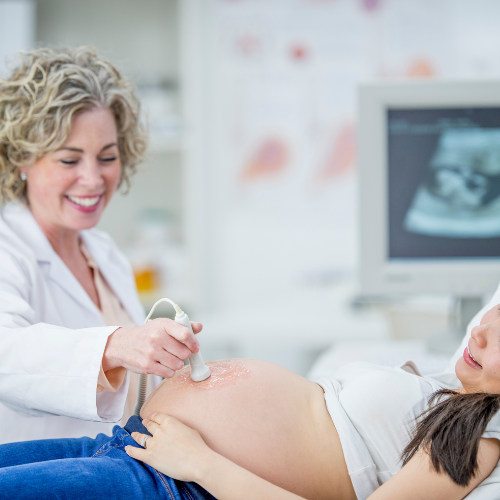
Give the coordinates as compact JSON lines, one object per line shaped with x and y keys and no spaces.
{"x":121,"y":283}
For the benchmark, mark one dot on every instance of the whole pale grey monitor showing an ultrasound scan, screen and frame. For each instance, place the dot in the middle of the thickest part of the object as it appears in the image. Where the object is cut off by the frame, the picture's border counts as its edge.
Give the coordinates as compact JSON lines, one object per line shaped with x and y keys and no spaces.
{"x":429,"y":187}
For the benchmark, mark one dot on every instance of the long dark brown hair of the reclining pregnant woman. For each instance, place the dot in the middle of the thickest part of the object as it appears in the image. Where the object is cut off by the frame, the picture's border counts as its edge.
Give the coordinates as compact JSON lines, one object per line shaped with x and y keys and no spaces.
{"x":450,"y":432}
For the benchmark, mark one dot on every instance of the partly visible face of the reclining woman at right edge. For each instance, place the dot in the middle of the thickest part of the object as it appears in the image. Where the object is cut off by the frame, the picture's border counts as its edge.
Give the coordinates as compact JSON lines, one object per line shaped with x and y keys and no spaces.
{"x":479,"y":367}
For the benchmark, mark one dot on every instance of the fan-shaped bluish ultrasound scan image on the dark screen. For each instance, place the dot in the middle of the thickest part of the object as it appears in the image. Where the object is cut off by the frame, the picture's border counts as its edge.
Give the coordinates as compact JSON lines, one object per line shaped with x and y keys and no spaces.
{"x":459,"y":196}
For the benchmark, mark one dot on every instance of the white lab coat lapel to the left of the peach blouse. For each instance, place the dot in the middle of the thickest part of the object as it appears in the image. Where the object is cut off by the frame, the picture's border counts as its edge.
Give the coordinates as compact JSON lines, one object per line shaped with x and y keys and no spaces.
{"x":21,"y":220}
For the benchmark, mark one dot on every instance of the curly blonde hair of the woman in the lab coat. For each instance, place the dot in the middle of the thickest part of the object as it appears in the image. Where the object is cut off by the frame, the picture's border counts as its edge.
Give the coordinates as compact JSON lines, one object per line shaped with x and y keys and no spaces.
{"x":40,"y":98}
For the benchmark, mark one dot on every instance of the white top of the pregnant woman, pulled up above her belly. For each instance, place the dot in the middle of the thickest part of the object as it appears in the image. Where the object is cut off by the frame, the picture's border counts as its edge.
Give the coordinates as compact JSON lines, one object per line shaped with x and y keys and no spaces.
{"x":374,"y":410}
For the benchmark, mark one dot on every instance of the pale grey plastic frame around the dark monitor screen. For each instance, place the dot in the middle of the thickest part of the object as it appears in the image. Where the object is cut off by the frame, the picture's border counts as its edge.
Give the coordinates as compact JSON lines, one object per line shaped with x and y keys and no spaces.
{"x":379,"y":274}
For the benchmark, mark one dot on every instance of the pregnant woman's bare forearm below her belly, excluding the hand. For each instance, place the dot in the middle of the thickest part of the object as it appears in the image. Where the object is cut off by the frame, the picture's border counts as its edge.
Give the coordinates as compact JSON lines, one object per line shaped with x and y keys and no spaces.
{"x":227,"y":481}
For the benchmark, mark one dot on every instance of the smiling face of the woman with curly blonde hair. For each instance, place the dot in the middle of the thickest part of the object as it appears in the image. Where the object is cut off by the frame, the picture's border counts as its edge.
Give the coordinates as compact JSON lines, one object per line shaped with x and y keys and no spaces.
{"x":68,"y":189}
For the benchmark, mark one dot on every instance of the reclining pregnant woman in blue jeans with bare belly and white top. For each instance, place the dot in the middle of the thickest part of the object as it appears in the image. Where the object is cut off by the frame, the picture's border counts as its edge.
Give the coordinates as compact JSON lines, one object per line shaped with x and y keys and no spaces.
{"x":254,"y":430}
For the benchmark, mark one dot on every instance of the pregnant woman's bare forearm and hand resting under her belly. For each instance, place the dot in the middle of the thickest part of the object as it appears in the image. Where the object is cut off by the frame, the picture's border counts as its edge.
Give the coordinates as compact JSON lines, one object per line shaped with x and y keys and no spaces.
{"x":180,"y":452}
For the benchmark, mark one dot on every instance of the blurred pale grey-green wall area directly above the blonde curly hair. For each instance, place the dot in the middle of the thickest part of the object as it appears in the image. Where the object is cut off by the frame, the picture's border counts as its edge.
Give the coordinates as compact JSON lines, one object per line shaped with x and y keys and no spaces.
{"x":139,"y":36}
